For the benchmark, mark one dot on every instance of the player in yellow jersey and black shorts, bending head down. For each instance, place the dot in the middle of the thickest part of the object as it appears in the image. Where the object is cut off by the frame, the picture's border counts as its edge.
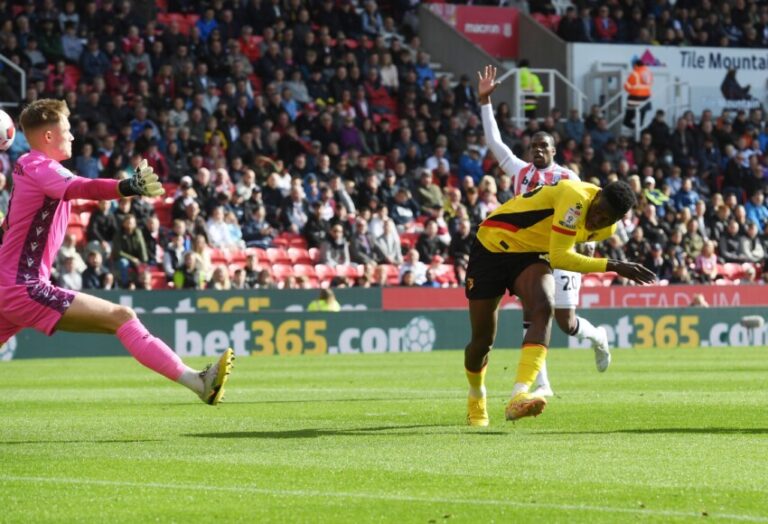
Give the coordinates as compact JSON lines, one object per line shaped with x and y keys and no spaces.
{"x":516,"y":248}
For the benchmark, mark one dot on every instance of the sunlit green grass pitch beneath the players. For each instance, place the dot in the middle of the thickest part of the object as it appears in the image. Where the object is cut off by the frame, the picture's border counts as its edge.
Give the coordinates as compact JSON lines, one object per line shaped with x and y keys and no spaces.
{"x":663,"y":436}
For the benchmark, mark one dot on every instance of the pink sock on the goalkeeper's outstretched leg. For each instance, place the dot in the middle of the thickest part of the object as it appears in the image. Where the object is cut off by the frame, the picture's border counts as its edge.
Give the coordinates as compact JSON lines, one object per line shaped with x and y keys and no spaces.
{"x":150,"y":351}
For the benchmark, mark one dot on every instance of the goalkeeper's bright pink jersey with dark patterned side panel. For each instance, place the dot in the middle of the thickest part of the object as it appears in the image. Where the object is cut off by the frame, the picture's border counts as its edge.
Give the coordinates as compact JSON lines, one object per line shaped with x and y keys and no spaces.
{"x":37,"y":219}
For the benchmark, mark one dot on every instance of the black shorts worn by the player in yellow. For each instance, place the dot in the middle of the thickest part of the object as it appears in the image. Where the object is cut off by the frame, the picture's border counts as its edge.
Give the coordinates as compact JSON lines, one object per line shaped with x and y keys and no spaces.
{"x":490,"y":274}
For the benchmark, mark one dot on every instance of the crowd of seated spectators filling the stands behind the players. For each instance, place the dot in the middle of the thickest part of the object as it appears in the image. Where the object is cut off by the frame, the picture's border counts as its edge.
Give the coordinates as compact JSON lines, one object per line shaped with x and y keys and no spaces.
{"x":311,"y":143}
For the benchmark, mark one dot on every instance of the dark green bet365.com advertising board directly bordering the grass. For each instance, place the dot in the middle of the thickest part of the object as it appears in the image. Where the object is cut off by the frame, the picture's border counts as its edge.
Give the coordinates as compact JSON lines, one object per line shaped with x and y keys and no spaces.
{"x":351,"y":332}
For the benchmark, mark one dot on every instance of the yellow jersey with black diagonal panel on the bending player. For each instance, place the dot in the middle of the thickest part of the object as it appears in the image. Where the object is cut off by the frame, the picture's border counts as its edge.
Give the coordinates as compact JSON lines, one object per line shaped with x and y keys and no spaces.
{"x":548,"y":219}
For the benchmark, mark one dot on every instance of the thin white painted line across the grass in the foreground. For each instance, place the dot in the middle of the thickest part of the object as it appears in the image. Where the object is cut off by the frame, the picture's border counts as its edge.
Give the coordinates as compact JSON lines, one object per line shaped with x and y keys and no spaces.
{"x":384,"y":497}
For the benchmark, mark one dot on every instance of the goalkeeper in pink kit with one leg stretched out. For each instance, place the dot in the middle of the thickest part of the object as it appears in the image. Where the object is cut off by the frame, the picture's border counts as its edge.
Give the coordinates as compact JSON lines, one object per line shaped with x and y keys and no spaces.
{"x":32,"y":235}
